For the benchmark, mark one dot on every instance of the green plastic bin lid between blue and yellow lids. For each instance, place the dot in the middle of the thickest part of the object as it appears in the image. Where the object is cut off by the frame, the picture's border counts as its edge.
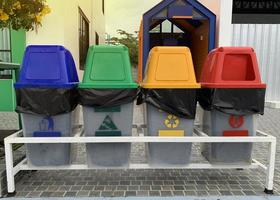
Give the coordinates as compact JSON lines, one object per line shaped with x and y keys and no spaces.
{"x":107,"y":67}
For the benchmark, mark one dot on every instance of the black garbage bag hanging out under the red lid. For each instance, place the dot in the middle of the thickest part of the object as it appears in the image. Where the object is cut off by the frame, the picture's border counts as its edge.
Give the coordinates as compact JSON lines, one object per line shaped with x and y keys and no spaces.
{"x":233,"y":101}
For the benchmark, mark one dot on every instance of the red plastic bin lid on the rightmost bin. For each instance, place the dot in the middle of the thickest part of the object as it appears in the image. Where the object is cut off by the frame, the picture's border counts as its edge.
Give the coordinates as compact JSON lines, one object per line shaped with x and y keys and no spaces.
{"x":231,"y":67}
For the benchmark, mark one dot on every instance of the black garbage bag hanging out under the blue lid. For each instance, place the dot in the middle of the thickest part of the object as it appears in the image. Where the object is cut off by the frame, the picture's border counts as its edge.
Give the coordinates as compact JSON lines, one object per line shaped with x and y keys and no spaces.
{"x":46,"y":101}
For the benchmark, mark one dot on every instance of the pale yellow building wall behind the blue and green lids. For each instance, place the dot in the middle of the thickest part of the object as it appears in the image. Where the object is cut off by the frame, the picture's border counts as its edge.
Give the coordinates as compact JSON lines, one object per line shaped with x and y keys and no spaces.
{"x":61,"y":26}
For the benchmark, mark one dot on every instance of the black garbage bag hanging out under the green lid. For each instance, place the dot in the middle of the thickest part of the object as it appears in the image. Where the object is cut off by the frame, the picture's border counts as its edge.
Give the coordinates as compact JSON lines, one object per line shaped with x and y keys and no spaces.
{"x":106,"y":98}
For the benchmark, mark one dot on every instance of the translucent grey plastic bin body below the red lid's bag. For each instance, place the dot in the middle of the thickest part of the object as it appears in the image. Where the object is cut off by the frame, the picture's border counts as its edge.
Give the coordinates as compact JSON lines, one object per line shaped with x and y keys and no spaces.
{"x":214,"y":124}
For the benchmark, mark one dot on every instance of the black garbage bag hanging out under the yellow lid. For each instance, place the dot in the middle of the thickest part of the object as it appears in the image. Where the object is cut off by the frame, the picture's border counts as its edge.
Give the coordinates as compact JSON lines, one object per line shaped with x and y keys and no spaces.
{"x":178,"y":102}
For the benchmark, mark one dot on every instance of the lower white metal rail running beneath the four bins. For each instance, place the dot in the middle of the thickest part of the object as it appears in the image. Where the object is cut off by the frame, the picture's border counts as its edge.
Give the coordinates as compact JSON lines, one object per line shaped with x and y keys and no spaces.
{"x":142,"y":166}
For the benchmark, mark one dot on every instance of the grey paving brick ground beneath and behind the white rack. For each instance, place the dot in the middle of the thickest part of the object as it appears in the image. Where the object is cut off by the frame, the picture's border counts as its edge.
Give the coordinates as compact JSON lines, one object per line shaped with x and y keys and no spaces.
{"x":165,"y":183}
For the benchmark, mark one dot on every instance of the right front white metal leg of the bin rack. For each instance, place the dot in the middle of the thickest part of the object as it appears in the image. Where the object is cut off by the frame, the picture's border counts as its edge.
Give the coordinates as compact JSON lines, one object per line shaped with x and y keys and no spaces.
{"x":271,"y":167}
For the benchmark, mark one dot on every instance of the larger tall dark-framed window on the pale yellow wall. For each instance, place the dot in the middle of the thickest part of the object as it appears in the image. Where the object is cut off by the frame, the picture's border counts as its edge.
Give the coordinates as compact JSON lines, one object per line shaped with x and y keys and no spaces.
{"x":83,"y":38}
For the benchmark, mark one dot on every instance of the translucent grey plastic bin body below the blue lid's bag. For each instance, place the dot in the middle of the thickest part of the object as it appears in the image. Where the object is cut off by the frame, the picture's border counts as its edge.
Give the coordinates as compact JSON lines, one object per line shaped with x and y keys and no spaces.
{"x":47,"y":154}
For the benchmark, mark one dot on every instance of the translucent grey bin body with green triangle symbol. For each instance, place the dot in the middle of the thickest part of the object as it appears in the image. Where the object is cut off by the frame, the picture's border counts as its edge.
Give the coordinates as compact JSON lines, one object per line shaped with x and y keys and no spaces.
{"x":104,"y":122}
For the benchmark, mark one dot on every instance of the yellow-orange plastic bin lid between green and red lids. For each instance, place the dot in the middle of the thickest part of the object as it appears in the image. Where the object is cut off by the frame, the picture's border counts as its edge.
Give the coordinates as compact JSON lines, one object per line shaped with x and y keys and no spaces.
{"x":170,"y":67}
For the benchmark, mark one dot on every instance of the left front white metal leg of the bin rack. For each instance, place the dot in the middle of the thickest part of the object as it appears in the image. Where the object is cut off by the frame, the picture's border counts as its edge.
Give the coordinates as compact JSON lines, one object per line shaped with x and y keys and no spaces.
{"x":9,"y":167}
